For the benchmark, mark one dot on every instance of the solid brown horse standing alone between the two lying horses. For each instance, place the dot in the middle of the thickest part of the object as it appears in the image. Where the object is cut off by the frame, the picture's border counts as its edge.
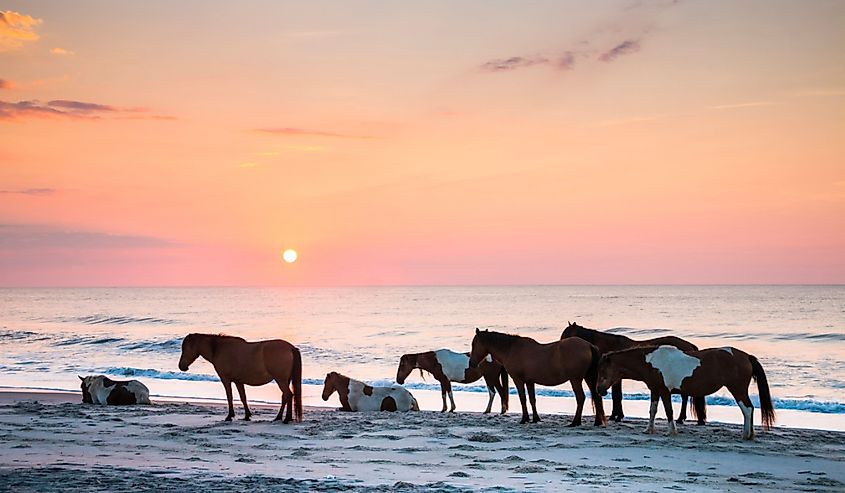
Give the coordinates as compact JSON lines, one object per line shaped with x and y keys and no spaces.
{"x":249,"y":363}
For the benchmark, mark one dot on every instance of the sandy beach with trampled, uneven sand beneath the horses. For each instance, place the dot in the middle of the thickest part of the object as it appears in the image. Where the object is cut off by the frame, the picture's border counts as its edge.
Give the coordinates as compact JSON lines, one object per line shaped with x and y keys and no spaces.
{"x":51,"y":442}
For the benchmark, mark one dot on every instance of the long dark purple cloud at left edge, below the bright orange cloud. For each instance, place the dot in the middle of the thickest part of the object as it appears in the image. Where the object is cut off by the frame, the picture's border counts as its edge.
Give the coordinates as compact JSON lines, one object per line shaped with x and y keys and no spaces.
{"x":64,"y":108}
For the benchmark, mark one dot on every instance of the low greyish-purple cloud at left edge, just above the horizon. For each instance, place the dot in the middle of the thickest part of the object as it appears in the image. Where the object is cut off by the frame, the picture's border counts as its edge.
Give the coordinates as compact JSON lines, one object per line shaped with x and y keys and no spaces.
{"x":31,"y":236}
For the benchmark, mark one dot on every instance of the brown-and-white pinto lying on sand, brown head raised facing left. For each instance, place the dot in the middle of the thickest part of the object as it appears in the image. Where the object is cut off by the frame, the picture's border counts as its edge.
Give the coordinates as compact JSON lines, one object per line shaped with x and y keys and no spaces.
{"x":358,"y":396}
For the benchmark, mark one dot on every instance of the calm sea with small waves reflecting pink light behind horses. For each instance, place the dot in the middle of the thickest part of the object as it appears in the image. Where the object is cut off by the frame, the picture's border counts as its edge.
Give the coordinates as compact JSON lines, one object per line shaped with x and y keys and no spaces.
{"x":49,"y":336}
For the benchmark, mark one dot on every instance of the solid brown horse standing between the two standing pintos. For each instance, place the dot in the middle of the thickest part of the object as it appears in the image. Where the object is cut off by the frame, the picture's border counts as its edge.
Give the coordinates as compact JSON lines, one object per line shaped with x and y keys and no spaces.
{"x":528,"y":363}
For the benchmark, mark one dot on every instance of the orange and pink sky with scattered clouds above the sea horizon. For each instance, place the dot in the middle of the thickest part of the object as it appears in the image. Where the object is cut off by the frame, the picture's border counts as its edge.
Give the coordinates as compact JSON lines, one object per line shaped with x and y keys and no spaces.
{"x":396,"y":143}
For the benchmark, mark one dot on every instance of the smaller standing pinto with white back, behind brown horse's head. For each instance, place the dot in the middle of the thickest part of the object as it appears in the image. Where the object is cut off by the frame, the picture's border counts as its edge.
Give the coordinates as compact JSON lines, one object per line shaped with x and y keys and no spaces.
{"x":448,"y":366}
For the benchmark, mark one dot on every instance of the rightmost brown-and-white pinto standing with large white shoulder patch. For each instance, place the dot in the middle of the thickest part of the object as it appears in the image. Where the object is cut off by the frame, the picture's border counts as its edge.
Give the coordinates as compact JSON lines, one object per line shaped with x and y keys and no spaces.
{"x":665,"y":369}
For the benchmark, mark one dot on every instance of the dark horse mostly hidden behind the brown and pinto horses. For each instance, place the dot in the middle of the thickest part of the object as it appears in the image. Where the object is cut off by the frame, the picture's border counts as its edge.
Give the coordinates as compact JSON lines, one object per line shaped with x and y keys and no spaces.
{"x":607,"y":342}
